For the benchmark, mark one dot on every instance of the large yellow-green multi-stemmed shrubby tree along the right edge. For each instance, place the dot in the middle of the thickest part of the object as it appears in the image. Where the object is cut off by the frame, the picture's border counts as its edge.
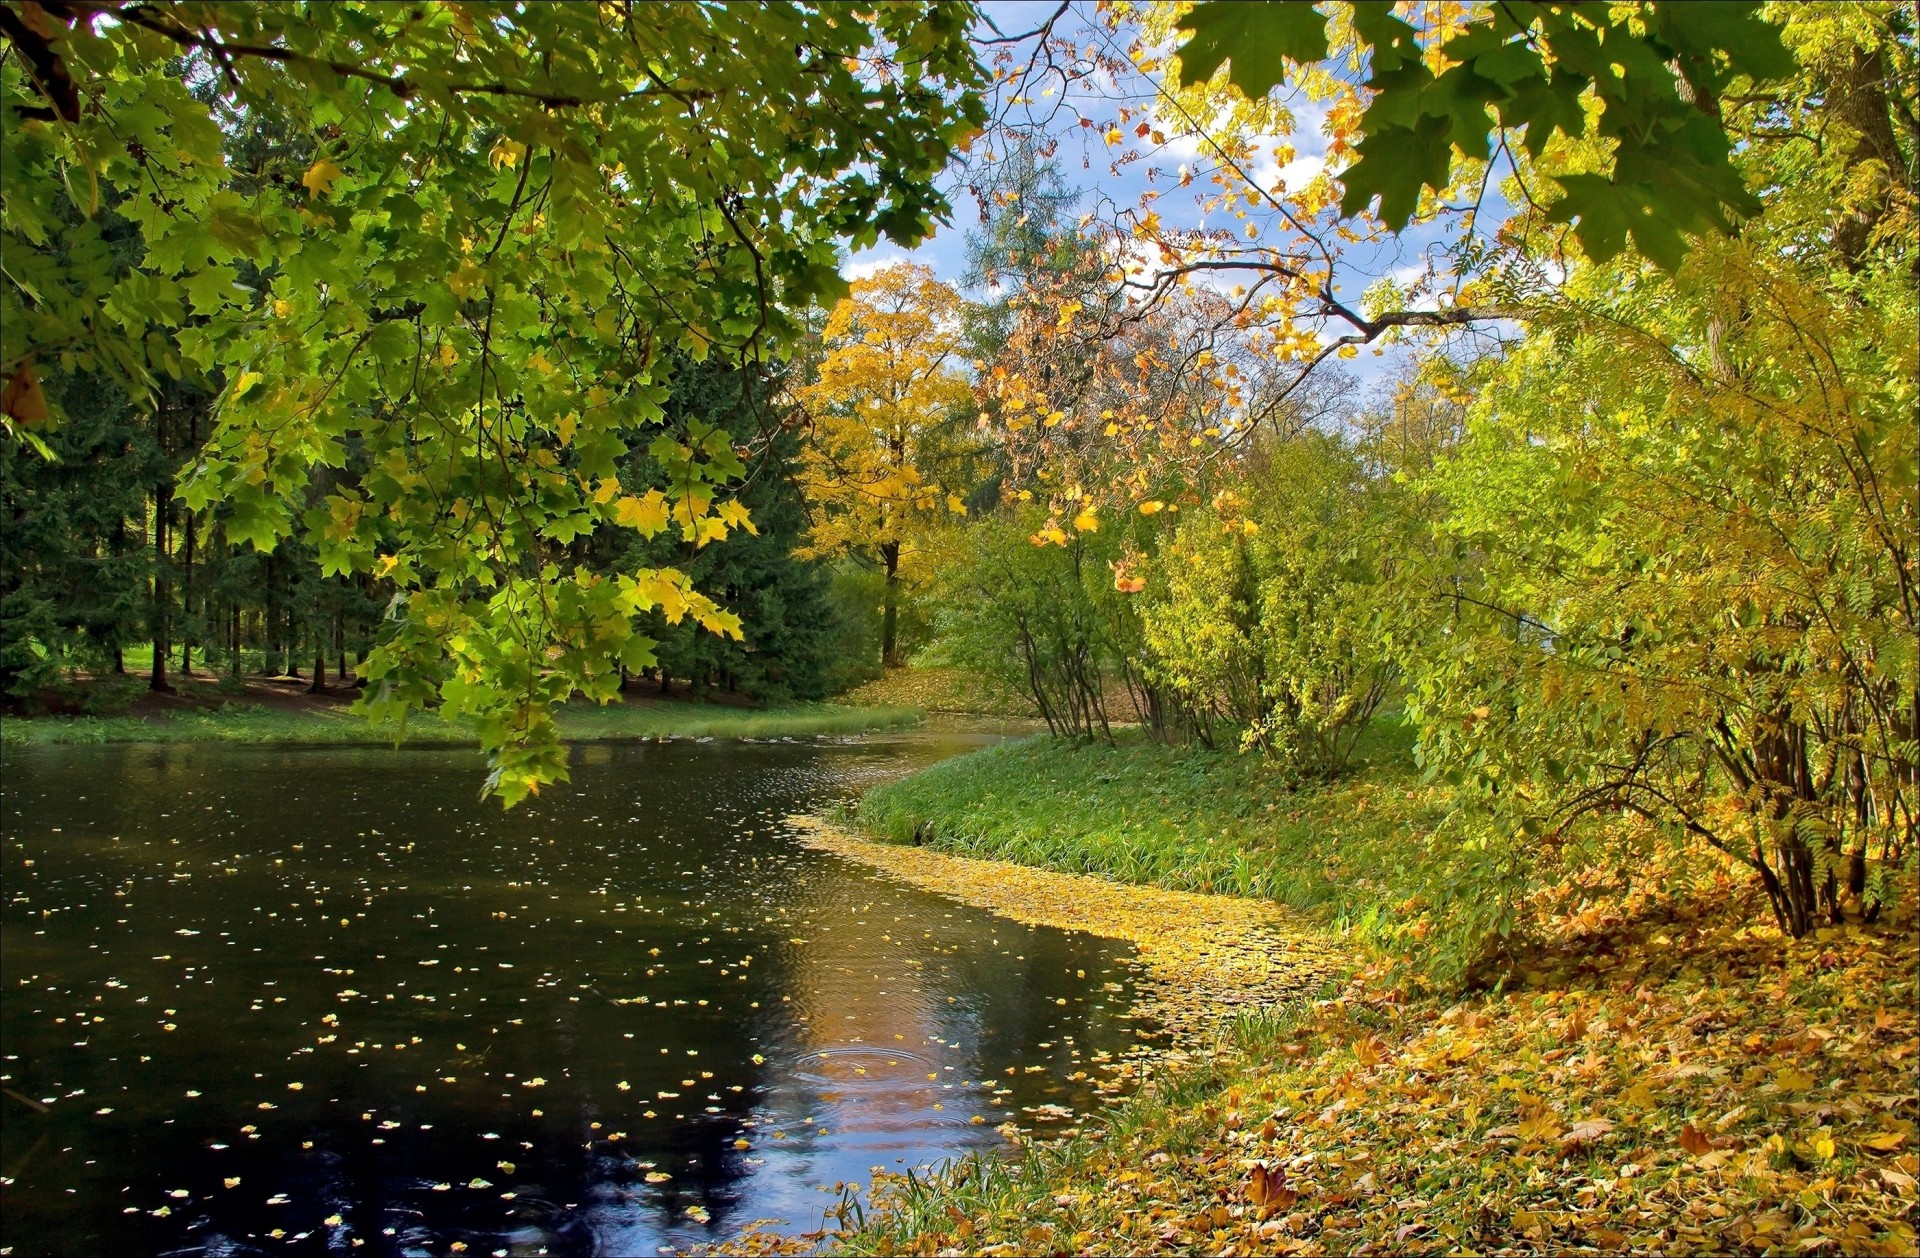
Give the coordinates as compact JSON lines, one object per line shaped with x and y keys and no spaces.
{"x":1681,"y":575}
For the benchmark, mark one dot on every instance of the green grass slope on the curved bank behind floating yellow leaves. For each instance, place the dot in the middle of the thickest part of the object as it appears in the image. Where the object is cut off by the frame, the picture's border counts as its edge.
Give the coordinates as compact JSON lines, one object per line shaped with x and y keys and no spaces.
{"x":1188,"y":819}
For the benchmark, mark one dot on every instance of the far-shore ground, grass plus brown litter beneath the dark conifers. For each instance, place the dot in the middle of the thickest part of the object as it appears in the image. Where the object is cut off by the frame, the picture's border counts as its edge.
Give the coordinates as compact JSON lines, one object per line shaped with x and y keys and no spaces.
{"x":285,"y":712}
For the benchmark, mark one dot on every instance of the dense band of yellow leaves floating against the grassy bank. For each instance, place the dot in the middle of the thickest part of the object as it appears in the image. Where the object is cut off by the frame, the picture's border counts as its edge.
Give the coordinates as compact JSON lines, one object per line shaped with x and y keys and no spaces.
{"x":1201,"y":957}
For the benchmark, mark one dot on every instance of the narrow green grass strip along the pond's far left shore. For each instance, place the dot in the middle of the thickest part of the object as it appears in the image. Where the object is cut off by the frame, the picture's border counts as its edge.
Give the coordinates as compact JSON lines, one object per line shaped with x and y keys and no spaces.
{"x":638,"y":719}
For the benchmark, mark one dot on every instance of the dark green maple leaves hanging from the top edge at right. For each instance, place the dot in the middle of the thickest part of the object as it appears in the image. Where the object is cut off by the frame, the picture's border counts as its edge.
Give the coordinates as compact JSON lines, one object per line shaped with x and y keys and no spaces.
{"x":1646,"y":78}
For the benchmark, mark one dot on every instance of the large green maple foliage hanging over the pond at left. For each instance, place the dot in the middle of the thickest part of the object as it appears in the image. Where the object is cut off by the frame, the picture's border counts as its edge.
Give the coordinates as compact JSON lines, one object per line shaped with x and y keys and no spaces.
{"x":512,"y":220}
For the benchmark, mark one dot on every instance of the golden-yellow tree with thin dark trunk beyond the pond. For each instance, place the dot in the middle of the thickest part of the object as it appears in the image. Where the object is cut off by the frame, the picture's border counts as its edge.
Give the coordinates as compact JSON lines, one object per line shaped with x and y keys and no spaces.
{"x":880,"y":423}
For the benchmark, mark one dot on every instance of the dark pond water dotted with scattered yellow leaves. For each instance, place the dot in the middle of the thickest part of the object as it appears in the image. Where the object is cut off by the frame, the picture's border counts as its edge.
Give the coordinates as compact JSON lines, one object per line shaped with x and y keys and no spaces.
{"x":329,"y":1002}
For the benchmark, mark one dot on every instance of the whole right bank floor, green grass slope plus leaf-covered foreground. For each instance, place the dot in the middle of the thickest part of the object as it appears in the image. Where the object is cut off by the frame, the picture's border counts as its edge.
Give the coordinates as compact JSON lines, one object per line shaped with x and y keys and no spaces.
{"x":1658,"y":1075}
